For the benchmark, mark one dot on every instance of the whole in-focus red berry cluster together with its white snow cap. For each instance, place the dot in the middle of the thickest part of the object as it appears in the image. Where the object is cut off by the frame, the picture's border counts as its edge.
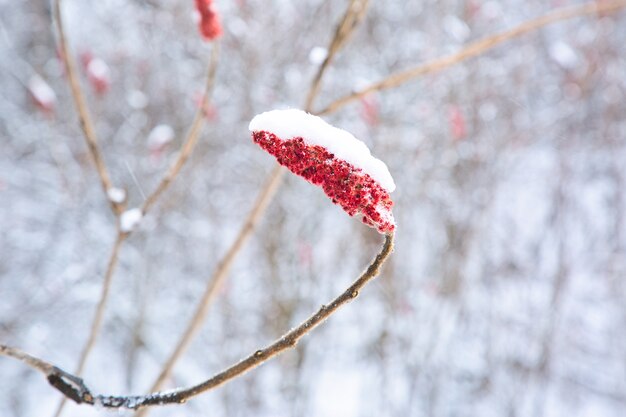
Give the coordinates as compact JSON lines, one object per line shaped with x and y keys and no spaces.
{"x":332,"y":159}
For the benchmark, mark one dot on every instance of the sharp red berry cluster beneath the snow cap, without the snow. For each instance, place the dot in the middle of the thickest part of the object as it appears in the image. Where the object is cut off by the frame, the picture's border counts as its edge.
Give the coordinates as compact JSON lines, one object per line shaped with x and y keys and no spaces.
{"x":346,"y":185}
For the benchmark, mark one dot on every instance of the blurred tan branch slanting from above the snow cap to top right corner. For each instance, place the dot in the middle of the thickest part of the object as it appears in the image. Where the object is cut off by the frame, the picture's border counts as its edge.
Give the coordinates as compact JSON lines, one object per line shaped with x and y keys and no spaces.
{"x":477,"y":48}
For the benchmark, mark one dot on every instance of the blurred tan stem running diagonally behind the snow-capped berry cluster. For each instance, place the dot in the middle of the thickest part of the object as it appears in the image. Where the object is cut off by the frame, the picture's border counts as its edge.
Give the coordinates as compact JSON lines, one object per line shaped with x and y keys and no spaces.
{"x":265,"y":196}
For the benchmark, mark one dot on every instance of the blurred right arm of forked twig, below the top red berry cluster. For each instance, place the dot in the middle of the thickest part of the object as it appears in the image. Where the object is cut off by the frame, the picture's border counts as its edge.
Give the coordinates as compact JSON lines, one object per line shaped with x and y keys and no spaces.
{"x":192,"y":136}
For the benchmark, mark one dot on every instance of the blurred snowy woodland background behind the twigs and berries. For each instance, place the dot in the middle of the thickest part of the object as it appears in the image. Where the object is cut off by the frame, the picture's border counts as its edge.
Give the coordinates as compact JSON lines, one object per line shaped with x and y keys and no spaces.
{"x":506,"y":293}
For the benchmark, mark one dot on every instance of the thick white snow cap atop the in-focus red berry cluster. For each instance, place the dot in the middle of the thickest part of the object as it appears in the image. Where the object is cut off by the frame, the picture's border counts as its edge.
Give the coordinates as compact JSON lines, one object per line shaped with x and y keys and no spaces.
{"x":292,"y":123}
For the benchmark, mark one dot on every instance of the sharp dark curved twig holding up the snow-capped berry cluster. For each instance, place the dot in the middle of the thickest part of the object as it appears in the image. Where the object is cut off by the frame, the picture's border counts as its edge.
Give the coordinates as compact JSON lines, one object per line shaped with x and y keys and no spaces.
{"x":74,"y":388}
